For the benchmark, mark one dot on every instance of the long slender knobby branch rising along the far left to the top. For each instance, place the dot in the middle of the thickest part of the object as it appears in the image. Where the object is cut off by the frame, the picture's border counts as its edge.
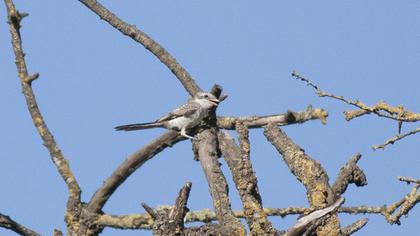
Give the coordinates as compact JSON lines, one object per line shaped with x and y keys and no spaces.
{"x":57,"y":157}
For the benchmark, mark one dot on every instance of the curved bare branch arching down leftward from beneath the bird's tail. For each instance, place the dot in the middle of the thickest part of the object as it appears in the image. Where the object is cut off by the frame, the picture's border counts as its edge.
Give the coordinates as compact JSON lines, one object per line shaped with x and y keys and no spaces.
{"x":131,"y":164}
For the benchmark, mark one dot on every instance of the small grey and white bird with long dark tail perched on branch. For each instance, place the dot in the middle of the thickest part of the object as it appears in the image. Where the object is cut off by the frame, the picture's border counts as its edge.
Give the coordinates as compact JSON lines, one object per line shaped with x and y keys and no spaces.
{"x":182,"y":118}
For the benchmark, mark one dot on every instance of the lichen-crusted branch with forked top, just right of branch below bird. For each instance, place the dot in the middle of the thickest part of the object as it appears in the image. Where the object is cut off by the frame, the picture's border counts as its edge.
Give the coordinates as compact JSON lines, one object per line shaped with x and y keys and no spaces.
{"x":245,"y":180}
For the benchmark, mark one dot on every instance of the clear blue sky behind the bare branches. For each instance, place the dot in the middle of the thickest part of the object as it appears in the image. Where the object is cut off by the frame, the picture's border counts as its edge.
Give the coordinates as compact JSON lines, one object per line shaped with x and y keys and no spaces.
{"x":93,"y":78}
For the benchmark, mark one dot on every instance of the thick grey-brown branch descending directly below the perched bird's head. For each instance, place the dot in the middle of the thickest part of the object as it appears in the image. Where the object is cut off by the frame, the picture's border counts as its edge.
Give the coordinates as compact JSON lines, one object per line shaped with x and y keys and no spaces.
{"x":205,"y":149}
